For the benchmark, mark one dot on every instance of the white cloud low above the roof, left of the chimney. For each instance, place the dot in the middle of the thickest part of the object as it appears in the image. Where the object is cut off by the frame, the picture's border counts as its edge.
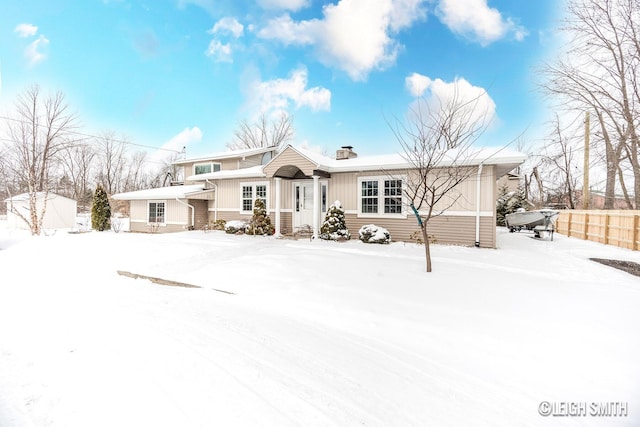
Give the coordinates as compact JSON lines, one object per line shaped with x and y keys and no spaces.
{"x":277,"y":95}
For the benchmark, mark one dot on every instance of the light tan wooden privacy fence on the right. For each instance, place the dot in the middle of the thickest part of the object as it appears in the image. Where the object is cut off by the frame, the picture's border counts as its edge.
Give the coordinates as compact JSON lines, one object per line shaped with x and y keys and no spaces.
{"x":618,"y":228}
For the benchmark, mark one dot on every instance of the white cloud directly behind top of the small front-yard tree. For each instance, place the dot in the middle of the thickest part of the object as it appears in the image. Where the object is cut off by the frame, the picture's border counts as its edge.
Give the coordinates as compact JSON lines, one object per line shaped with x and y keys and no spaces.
{"x":474,"y":102}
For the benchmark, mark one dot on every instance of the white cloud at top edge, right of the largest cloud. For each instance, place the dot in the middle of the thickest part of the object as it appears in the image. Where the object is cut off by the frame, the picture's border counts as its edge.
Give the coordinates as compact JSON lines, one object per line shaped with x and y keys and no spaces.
{"x":474,"y":19}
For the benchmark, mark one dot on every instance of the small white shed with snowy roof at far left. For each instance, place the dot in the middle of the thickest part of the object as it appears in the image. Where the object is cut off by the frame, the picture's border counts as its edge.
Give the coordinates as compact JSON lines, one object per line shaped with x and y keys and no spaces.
{"x":60,"y":211}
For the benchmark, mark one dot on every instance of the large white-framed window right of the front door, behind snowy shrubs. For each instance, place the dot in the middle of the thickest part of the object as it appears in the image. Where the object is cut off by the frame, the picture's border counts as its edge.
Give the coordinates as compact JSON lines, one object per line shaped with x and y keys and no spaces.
{"x":380,"y":196}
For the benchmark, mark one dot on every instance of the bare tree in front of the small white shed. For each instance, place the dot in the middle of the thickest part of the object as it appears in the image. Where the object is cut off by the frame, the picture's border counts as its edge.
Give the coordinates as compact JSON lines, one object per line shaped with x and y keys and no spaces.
{"x":40,"y":131}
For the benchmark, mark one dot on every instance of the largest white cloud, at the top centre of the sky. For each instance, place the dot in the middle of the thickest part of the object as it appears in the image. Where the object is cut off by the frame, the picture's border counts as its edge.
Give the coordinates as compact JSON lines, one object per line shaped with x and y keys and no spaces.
{"x":354,"y":35}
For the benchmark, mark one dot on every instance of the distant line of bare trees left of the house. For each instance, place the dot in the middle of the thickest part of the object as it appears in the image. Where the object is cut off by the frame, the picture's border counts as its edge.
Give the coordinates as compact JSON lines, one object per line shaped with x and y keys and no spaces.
{"x":42,"y":149}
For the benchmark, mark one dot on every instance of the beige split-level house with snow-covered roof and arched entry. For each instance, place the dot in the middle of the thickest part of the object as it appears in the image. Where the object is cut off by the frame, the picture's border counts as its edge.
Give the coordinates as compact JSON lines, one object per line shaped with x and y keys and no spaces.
{"x":299,"y":185}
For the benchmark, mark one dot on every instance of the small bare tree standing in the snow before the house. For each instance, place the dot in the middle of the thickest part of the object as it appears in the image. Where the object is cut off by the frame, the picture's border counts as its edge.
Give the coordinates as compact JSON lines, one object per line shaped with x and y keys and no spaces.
{"x":437,"y":141}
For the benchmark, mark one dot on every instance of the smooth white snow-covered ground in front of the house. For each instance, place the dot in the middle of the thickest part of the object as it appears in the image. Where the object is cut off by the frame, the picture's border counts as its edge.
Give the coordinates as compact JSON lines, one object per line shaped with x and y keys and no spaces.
{"x":311,"y":333}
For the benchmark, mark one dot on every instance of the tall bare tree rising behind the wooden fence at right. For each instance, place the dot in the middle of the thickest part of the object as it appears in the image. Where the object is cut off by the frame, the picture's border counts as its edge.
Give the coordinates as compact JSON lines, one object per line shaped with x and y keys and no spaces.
{"x":599,"y":72}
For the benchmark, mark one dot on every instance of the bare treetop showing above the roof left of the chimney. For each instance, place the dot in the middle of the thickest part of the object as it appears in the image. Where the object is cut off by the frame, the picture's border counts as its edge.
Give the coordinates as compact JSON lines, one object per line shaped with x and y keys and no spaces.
{"x":263,"y":132}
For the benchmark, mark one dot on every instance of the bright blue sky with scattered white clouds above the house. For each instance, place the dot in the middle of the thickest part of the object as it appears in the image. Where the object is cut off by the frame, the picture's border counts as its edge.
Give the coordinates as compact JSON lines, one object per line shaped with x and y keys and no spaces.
{"x":173,"y":73}
